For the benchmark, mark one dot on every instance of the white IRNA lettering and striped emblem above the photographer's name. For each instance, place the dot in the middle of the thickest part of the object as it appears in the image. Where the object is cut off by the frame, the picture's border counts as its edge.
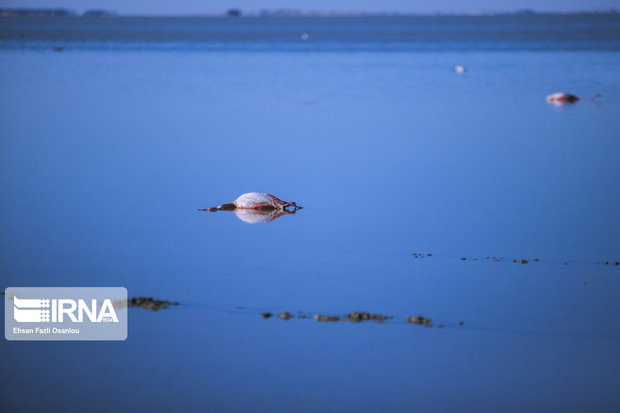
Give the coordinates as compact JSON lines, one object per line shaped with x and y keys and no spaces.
{"x":34,"y":310}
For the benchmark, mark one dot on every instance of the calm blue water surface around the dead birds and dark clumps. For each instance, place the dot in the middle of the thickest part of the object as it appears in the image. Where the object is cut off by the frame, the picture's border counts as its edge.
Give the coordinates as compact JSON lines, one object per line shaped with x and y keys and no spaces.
{"x":109,"y":148}
